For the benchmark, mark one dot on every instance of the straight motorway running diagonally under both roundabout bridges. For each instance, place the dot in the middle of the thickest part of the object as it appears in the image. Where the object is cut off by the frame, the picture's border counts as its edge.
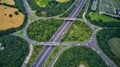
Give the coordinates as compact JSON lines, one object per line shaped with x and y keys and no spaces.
{"x":57,"y":36}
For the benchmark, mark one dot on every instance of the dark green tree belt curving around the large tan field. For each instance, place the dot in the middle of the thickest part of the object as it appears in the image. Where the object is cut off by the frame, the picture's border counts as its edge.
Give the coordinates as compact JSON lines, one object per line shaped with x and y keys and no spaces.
{"x":21,"y":8}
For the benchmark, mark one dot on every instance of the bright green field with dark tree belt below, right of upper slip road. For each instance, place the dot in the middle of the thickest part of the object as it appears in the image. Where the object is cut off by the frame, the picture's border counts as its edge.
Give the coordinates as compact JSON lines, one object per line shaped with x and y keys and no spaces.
{"x":103,"y":20}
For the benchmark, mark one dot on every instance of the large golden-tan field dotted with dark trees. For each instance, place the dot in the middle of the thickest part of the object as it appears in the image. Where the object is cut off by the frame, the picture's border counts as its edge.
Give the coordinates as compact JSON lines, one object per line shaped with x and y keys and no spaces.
{"x":10,"y":17}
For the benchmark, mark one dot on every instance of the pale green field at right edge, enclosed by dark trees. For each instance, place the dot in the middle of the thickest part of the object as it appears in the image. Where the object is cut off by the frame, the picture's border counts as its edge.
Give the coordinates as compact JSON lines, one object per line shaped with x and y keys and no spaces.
{"x":114,"y":44}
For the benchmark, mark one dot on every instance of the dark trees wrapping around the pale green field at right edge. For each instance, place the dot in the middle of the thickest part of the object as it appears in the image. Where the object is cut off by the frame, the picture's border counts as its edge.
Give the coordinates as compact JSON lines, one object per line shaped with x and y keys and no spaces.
{"x":103,"y":38}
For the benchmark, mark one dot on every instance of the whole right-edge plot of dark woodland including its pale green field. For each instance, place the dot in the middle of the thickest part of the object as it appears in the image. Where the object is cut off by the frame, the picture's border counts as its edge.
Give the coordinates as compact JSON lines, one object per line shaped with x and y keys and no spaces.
{"x":109,"y":41}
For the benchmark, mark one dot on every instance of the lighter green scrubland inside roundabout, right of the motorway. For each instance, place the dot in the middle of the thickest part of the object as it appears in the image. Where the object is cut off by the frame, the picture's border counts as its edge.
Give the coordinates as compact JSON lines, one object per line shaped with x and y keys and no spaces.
{"x":78,"y":32}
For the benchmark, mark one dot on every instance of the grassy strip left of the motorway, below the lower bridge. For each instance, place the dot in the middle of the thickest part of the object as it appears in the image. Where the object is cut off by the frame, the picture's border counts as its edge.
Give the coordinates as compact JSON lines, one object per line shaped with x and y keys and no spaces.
{"x":36,"y":51}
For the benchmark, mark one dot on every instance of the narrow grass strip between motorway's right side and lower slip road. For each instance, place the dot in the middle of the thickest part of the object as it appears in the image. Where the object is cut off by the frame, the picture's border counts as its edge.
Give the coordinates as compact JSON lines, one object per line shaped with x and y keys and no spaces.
{"x":52,"y":55}
